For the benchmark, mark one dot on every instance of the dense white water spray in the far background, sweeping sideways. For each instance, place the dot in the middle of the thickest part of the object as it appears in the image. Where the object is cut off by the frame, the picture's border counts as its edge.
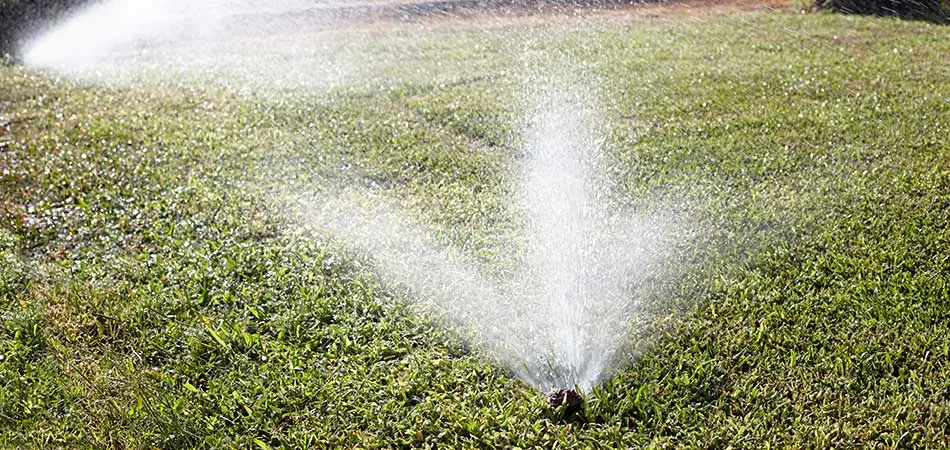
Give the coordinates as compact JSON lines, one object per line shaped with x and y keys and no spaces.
{"x":253,"y":46}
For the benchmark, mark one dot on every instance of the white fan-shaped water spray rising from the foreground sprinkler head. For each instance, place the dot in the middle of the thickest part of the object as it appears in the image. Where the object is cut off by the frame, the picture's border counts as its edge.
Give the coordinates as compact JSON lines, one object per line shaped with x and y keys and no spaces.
{"x":561,"y":320}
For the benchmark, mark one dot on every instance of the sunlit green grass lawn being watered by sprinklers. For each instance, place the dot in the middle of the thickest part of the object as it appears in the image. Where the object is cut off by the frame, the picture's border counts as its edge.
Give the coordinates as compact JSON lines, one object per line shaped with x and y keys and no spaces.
{"x":154,"y":294}
